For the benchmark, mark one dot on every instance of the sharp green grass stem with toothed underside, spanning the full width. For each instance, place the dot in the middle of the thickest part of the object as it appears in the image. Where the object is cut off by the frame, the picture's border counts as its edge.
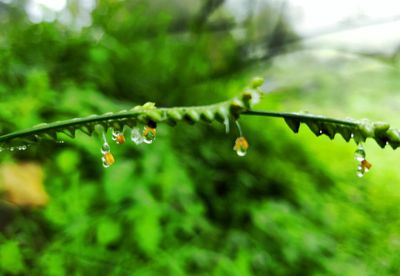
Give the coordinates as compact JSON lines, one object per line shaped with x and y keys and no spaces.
{"x":358,"y":130}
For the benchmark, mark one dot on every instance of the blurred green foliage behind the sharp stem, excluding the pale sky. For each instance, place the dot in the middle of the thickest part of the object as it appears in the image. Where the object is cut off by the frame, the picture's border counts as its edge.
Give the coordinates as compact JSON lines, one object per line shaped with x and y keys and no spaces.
{"x":186,"y":204}
